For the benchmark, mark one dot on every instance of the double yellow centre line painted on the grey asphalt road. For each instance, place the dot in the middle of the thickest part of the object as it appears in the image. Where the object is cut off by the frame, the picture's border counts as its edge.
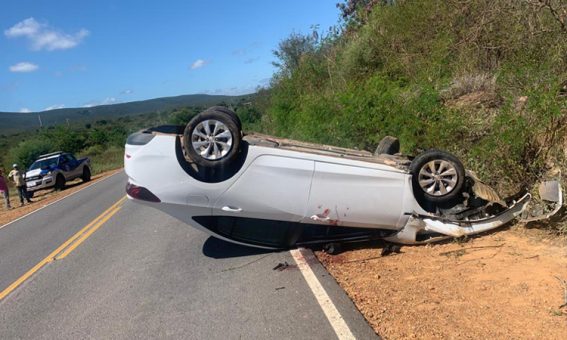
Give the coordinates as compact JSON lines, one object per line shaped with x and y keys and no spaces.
{"x":111,"y":211}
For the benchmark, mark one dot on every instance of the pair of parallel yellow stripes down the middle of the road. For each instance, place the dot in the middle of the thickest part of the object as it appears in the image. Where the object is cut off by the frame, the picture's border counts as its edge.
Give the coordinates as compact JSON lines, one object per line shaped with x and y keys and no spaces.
{"x":68,"y":246}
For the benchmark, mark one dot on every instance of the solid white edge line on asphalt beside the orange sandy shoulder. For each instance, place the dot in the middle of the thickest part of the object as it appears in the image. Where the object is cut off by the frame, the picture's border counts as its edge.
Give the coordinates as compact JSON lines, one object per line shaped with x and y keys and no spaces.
{"x":337,"y":322}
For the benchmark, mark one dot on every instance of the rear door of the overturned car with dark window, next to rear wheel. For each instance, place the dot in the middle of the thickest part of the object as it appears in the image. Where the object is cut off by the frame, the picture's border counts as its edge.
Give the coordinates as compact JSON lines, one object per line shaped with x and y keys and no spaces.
{"x":266,"y":203}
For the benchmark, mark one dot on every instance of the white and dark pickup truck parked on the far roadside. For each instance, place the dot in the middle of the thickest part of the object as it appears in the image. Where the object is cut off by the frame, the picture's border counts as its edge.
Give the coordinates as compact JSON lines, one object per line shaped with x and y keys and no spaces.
{"x":55,"y":169}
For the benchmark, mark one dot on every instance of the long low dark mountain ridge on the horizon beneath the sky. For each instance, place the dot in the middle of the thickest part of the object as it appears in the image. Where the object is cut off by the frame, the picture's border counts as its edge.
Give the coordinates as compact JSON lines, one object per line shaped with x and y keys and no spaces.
{"x":13,"y":122}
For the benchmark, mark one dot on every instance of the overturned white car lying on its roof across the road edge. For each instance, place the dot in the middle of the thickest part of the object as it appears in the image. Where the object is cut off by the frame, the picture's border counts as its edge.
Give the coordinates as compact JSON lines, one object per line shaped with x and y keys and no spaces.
{"x":269,"y":192}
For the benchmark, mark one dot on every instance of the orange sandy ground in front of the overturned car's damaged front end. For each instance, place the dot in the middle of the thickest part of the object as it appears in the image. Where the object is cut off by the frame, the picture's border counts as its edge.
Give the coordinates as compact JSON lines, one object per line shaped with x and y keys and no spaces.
{"x":502,"y":285}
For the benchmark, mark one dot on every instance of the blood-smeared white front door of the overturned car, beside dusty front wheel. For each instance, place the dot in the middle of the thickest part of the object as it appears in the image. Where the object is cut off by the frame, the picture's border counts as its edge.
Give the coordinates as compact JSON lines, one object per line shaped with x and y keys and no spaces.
{"x":348,"y":195}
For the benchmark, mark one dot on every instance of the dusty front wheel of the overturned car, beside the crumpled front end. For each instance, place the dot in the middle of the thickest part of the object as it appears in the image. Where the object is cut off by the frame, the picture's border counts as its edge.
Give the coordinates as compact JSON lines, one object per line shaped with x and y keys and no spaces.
{"x":437,"y":177}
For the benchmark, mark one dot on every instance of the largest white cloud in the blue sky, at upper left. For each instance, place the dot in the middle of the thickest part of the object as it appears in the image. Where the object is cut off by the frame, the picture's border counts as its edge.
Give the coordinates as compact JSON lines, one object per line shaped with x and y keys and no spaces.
{"x":42,"y":36}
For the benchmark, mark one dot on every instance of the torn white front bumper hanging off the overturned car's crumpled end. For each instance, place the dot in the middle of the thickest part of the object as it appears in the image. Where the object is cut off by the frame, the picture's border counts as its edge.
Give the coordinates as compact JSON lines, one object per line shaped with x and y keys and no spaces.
{"x":424,"y":229}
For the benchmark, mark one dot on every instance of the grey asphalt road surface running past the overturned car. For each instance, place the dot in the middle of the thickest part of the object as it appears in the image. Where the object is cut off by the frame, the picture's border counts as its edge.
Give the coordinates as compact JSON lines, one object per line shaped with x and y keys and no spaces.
{"x":143,"y":274}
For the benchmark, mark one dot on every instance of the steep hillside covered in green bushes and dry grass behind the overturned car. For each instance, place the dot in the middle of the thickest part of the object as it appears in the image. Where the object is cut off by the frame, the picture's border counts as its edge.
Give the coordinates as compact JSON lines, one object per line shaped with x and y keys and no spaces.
{"x":478,"y":78}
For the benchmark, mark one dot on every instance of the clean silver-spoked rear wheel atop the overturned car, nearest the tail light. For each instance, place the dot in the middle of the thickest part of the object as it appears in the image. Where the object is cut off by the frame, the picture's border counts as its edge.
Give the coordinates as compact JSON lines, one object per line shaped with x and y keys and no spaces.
{"x":212,"y":139}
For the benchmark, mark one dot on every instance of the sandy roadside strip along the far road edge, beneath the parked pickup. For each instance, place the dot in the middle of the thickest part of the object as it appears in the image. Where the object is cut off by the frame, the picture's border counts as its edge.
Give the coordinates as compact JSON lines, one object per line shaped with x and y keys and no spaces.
{"x":44,"y":197}
